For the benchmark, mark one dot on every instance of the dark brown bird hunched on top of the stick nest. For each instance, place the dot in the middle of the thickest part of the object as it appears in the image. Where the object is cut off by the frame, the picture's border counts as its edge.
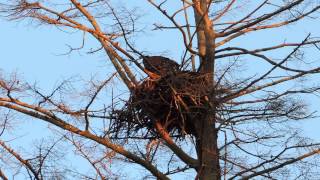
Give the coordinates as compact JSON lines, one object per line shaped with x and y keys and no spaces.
{"x":158,"y":66}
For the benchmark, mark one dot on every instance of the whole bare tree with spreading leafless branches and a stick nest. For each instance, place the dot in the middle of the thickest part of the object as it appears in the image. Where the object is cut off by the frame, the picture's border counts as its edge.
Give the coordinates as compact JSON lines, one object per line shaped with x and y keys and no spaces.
{"x":208,"y":118}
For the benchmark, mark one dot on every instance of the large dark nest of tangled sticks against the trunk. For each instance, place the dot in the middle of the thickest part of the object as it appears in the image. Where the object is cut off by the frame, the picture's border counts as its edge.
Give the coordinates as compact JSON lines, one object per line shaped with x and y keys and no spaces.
{"x":178,"y":101}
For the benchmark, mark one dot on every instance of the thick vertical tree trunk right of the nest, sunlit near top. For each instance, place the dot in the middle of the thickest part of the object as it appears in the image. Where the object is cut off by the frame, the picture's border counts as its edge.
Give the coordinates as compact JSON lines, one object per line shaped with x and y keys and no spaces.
{"x":207,"y":143}
